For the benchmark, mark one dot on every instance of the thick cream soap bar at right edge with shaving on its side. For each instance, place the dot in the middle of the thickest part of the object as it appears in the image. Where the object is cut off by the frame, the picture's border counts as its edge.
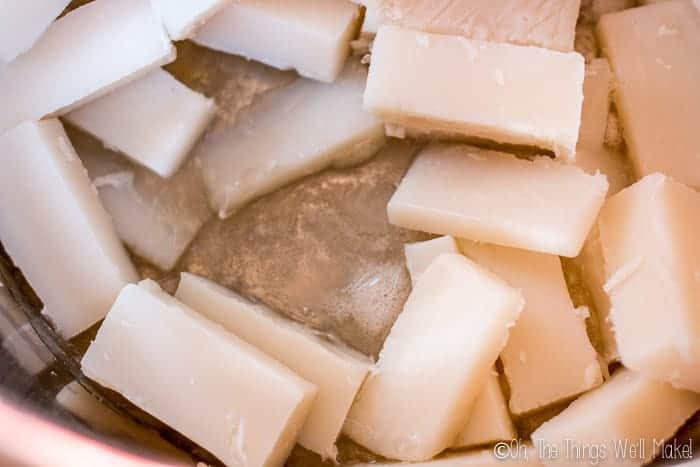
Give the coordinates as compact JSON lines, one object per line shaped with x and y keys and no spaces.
{"x":649,"y":236}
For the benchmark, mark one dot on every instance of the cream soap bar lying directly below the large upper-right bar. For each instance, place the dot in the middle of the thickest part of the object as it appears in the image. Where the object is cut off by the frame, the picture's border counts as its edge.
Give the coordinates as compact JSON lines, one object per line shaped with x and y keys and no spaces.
{"x":463,"y":191}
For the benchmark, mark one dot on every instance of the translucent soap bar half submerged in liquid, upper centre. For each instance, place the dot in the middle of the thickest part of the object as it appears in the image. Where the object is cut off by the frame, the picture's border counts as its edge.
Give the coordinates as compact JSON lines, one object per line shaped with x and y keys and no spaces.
{"x":289,"y":133}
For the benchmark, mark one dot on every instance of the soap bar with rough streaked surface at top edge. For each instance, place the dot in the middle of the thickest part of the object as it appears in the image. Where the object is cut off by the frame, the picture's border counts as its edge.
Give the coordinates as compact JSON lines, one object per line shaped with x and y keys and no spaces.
{"x":550,"y":24}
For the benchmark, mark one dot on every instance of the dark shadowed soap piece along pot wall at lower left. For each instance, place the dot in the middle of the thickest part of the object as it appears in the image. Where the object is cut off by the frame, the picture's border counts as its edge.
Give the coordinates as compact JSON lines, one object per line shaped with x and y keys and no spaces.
{"x":83,"y":405}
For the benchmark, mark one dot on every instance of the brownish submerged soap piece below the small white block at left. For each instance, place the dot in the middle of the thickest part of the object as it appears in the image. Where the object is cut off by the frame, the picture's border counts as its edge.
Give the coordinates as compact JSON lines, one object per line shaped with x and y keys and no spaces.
{"x":157,"y":218}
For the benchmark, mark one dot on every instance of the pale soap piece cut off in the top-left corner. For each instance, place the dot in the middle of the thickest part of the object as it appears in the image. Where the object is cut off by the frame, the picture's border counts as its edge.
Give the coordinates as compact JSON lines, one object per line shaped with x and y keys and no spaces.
{"x":22,"y":24}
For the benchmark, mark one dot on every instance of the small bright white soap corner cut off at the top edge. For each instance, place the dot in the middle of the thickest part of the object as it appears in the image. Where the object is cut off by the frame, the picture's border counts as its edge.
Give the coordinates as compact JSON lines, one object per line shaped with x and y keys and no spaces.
{"x":182,"y":18}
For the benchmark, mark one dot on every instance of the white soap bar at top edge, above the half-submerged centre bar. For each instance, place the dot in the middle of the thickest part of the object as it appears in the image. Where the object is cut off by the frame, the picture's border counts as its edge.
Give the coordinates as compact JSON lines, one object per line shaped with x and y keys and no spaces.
{"x":309,"y":36}
